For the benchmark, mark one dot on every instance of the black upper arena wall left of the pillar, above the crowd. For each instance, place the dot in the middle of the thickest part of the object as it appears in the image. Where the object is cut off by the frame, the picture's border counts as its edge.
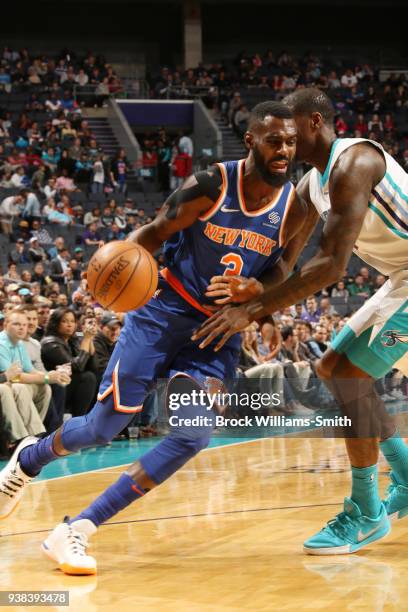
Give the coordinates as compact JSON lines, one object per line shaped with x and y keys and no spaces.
{"x":120,"y":30}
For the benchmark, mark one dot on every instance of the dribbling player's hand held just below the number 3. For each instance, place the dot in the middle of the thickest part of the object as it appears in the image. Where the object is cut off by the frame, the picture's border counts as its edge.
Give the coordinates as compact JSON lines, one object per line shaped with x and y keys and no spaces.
{"x":233,"y":289}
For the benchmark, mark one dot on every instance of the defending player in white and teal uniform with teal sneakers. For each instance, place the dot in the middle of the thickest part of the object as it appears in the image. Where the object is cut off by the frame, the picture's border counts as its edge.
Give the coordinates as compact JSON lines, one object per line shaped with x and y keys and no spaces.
{"x":362,"y":193}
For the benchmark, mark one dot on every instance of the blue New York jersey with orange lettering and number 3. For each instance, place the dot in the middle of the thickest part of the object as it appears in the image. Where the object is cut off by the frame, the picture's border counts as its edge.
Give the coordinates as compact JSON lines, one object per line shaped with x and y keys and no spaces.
{"x":228,"y":239}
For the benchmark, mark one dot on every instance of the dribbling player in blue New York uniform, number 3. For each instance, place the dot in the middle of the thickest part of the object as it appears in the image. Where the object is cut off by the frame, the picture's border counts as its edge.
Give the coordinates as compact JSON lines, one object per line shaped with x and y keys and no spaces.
{"x":220,"y":223}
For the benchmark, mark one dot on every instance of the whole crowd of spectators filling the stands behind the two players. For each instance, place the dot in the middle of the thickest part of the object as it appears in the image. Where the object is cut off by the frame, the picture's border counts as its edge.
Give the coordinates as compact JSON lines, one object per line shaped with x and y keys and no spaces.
{"x":60,"y":199}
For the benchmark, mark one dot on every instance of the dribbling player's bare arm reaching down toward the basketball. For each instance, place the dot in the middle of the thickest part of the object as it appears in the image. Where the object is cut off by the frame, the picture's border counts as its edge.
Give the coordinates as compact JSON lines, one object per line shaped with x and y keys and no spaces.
{"x":182,"y":208}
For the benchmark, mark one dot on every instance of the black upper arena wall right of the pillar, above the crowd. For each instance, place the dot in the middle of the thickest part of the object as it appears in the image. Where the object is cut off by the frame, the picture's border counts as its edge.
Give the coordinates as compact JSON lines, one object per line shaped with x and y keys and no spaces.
{"x":277,"y":26}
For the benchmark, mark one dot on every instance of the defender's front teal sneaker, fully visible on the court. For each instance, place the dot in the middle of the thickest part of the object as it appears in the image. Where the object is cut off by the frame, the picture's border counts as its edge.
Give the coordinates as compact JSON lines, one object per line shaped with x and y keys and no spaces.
{"x":348,"y":532}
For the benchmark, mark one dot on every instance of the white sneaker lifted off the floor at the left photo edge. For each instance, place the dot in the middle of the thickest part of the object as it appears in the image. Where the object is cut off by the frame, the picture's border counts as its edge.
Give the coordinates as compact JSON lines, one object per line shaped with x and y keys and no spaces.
{"x":13,"y":480}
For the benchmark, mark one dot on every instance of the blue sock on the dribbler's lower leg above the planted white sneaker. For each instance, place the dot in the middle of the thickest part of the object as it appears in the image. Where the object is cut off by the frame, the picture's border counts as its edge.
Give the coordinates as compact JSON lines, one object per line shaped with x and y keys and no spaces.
{"x":116,"y":497}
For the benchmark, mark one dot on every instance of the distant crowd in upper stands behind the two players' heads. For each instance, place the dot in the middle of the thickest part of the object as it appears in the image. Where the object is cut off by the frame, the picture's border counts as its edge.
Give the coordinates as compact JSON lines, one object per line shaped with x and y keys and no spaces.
{"x":366,"y":107}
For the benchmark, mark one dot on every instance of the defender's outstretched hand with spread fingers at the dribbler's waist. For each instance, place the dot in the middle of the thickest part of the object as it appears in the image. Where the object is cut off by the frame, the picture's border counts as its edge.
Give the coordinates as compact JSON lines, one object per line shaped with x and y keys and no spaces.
{"x":225,"y":323}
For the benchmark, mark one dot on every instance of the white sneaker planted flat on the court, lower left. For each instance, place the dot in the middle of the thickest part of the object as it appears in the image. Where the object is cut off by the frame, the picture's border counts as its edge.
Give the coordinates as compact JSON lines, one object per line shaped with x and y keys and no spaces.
{"x":67,"y":544}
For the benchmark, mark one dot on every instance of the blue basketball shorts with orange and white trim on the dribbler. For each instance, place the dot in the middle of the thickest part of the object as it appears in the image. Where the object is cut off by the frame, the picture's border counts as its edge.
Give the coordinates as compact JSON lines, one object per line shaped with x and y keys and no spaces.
{"x":155,"y":343}
